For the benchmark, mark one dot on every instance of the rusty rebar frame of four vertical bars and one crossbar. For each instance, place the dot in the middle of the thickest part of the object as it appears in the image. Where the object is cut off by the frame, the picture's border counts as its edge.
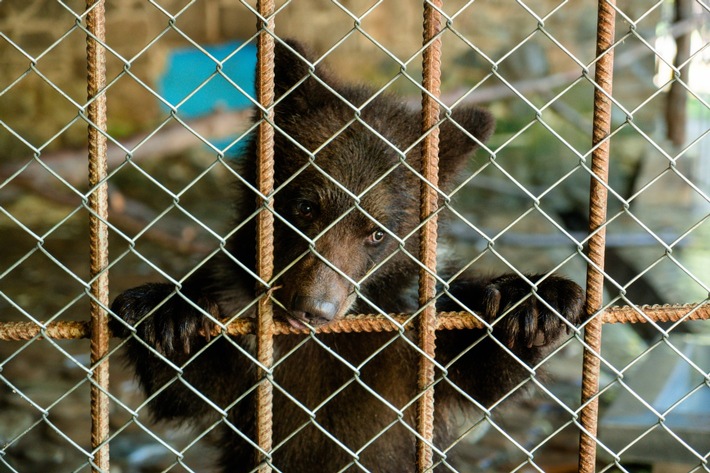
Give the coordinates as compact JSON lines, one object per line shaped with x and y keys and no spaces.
{"x":428,"y":321}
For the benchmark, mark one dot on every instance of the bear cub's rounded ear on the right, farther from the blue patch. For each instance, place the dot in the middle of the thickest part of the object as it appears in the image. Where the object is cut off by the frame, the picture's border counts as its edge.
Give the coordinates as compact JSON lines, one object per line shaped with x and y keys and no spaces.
{"x":456,"y":139}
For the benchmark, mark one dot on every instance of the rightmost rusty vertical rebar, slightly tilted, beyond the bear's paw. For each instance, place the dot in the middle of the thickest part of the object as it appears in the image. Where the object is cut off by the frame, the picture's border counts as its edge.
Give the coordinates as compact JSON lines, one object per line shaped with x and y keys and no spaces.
{"x":603,"y":76}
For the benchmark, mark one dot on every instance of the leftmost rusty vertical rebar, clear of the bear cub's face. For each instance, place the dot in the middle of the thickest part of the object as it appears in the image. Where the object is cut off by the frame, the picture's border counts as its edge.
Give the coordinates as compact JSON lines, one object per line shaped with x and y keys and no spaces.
{"x":98,"y":232}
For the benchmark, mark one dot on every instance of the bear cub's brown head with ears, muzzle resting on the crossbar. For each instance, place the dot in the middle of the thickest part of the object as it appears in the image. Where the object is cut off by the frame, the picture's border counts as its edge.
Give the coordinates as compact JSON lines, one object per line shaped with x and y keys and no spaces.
{"x":347,"y":160}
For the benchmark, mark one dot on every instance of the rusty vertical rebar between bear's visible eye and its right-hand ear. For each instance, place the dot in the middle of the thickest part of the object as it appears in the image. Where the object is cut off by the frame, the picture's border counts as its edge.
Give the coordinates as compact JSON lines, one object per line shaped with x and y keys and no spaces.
{"x":431,"y":81}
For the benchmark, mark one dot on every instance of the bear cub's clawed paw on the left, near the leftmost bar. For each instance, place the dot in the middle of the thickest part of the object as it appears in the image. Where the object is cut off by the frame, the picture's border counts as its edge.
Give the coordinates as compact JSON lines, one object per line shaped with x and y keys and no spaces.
{"x":163,"y":319}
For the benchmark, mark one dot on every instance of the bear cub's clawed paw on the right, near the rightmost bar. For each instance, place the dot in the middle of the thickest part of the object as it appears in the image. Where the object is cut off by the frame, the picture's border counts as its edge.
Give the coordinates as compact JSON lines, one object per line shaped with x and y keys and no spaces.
{"x":532,"y":318}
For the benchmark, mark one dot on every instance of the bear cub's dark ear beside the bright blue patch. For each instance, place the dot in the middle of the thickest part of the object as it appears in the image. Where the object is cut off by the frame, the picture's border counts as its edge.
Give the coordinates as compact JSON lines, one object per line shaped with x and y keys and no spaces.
{"x":293,"y":64}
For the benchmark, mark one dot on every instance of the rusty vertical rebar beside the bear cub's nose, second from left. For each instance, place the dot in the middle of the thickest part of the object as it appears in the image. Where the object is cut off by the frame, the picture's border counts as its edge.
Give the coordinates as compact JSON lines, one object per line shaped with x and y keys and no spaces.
{"x":264,"y":232}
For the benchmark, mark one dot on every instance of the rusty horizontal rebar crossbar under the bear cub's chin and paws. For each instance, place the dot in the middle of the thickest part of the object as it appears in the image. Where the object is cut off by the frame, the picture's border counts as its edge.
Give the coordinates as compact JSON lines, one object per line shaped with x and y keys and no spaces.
{"x":67,"y":330}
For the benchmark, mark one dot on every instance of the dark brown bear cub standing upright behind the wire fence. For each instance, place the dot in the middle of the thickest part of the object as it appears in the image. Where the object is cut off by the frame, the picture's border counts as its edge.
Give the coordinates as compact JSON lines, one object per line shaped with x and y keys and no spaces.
{"x":347,"y":212}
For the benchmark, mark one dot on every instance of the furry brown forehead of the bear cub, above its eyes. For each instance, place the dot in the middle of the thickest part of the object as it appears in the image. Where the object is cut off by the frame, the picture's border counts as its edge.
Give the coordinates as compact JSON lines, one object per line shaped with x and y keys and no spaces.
{"x":332,"y":147}
